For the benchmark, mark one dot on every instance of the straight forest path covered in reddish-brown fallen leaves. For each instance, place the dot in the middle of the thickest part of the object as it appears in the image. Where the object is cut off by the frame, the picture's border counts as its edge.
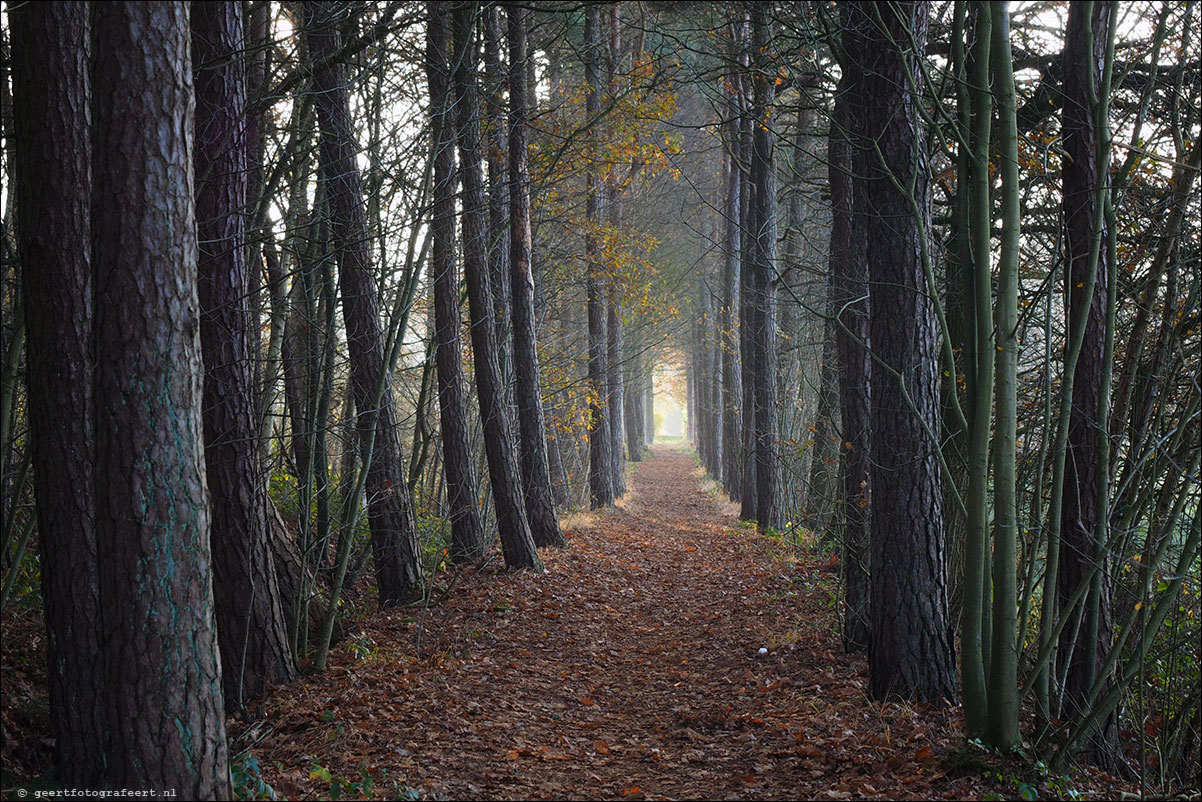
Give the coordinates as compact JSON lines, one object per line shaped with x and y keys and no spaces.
{"x":630,"y":670}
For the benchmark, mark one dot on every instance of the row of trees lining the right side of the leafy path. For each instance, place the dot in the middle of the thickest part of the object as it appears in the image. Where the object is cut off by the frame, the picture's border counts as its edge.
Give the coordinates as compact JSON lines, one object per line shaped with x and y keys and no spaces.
{"x":983,"y":342}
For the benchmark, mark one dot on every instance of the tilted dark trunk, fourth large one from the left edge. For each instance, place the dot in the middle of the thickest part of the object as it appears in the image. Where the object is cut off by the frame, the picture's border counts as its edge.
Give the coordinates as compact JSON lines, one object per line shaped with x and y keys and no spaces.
{"x":390,"y":508}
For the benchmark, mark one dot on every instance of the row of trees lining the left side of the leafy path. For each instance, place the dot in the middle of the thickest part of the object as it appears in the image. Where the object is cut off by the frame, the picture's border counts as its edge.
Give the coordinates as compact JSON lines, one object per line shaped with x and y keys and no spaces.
{"x":215,"y":452}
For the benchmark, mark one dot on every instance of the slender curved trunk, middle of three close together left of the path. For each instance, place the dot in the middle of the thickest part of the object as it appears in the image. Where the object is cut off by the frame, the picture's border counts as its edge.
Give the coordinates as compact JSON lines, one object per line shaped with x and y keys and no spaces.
{"x":503,"y":468}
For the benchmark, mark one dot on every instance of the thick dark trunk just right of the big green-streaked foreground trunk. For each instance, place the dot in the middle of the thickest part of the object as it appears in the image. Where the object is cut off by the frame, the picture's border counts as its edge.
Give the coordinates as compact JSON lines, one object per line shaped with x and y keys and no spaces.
{"x":252,"y":628}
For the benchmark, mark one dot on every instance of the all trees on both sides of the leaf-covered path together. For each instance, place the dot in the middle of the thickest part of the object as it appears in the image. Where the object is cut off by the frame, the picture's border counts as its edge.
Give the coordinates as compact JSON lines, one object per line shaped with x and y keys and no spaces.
{"x":941,"y":263}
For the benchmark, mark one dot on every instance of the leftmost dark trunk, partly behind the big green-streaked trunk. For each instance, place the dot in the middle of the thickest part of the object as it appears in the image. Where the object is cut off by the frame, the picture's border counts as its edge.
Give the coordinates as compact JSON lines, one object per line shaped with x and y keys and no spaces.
{"x":50,"y":61}
